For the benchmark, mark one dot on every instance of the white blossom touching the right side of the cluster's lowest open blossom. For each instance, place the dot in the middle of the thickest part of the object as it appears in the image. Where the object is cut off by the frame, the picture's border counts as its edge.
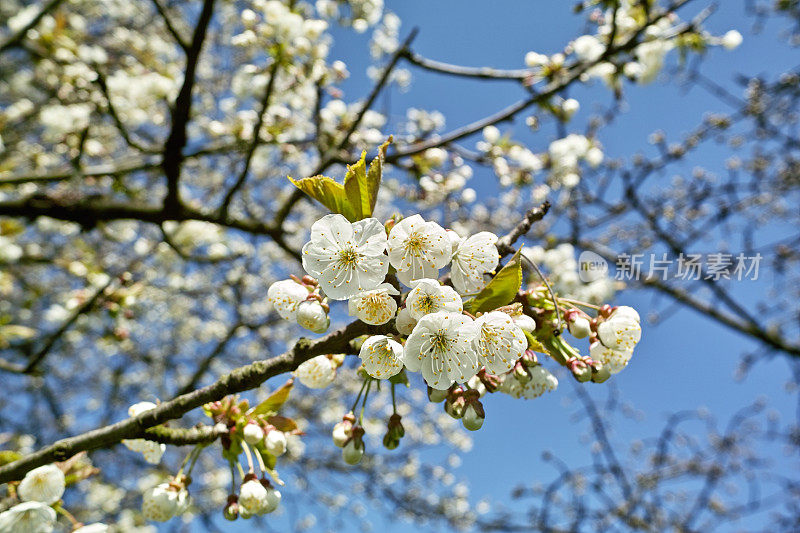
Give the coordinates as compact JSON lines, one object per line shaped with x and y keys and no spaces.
{"x":498,"y":341}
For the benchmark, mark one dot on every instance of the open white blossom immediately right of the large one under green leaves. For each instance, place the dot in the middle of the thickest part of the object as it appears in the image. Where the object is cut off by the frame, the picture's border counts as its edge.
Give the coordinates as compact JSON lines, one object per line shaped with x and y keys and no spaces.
{"x":418,"y":249}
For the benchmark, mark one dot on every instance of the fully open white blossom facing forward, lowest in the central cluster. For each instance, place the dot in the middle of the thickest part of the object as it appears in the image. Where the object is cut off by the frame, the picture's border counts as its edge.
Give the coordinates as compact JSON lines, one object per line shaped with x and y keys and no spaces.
{"x":441,"y":348}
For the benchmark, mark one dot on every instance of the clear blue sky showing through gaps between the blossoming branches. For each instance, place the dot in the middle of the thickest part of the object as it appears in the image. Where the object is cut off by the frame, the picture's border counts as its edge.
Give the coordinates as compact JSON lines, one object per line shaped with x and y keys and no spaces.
{"x":686,"y":361}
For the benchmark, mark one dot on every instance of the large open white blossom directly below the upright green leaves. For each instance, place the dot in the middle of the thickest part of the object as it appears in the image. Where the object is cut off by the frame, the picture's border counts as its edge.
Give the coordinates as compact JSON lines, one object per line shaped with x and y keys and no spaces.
{"x":346,"y":258}
